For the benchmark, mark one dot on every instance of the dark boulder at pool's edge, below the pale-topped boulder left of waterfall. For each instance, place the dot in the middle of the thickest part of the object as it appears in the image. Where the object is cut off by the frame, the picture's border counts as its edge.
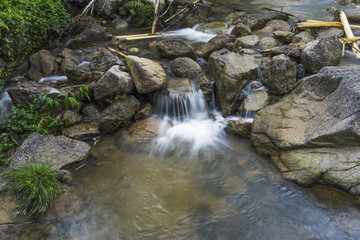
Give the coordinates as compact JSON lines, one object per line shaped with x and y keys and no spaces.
{"x":118,"y":114}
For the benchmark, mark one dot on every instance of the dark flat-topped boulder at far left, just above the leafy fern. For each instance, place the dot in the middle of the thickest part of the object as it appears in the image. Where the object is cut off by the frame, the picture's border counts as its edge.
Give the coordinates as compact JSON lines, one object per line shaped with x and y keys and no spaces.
{"x":26,"y":93}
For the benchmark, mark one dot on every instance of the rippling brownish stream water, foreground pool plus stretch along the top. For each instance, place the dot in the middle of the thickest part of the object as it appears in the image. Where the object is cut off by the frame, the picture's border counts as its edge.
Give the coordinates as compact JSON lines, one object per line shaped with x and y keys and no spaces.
{"x":198,"y":182}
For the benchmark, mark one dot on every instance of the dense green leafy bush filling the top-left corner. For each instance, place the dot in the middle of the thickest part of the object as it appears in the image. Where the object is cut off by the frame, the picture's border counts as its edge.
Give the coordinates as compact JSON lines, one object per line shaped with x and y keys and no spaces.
{"x":26,"y":24}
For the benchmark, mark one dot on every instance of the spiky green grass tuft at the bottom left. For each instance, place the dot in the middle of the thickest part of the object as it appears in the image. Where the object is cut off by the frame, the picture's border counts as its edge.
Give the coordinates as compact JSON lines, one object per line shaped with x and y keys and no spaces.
{"x":35,"y":186}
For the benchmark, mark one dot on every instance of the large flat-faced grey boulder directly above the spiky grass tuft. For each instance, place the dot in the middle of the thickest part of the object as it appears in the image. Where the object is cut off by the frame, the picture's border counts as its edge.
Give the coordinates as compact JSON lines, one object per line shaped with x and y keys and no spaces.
{"x":57,"y":152}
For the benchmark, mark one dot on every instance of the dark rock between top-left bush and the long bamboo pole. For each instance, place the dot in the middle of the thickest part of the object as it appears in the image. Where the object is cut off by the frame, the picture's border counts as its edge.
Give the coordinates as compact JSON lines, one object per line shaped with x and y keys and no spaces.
{"x":88,"y":36}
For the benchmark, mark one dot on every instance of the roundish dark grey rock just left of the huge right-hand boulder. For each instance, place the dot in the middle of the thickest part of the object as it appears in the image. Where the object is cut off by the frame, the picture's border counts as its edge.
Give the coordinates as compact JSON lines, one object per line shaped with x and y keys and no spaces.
{"x":279,"y":75}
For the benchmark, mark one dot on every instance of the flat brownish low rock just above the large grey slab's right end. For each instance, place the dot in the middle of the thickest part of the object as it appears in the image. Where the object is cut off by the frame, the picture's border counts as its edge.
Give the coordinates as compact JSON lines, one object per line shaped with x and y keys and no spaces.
{"x":82,"y":130}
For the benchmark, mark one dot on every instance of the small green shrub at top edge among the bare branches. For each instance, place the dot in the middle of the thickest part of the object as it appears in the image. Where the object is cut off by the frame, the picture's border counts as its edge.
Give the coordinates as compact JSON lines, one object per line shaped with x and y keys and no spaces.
{"x":142,"y":12}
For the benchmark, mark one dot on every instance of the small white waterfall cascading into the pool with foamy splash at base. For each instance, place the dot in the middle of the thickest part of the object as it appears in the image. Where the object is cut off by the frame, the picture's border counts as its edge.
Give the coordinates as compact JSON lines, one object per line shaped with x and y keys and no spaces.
{"x":186,"y":125}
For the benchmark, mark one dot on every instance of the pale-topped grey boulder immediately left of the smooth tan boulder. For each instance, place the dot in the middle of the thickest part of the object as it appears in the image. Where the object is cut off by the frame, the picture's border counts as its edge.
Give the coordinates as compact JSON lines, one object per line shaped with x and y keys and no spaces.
{"x":113,"y":82}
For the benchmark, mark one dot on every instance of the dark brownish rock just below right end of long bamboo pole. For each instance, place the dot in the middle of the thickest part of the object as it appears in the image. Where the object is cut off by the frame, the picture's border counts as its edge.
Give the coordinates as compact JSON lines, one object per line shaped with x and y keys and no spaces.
{"x":173,"y":48}
